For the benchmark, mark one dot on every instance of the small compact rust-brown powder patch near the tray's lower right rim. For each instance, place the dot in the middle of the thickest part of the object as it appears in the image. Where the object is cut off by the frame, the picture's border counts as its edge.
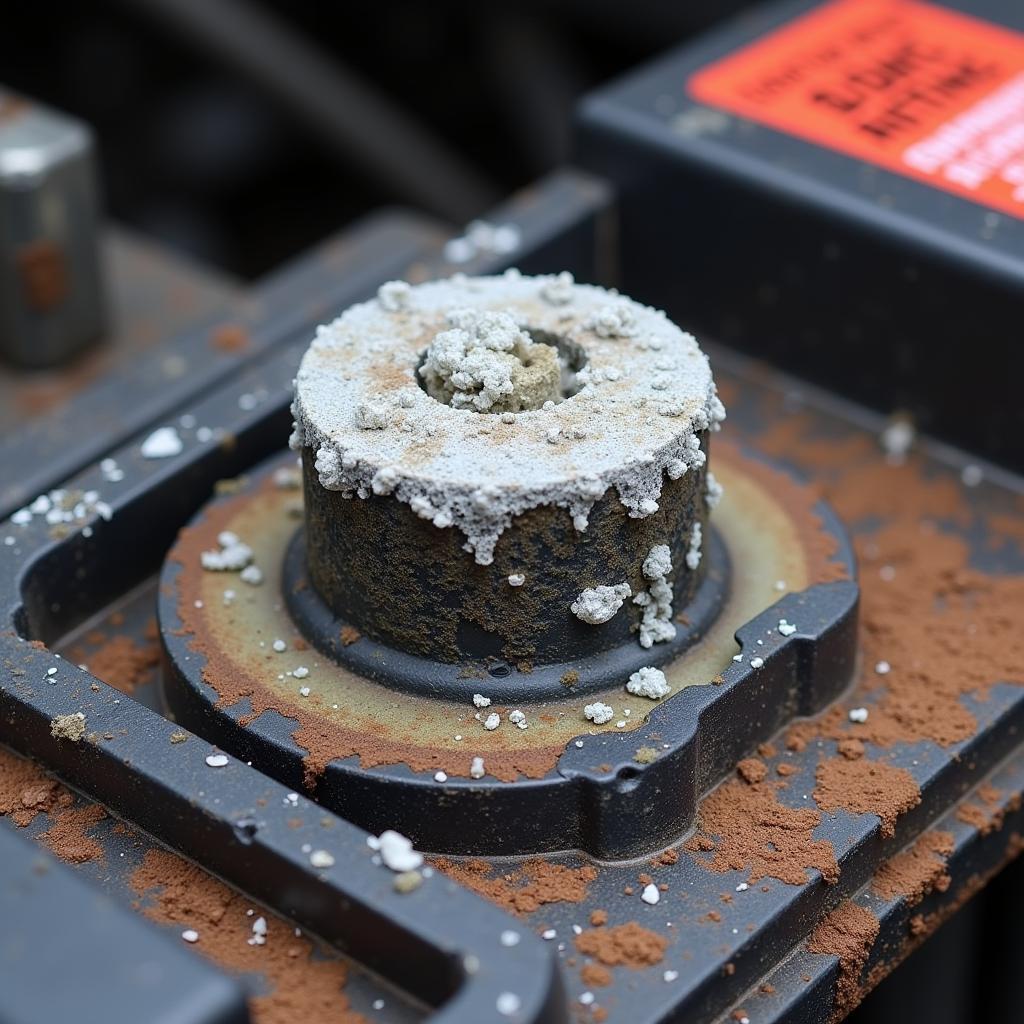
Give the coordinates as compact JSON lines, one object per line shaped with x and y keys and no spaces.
{"x":867,"y":788}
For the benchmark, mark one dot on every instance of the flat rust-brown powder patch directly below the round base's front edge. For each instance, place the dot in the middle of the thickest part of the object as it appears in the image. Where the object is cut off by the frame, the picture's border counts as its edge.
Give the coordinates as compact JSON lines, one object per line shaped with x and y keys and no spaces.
{"x":524,"y":891}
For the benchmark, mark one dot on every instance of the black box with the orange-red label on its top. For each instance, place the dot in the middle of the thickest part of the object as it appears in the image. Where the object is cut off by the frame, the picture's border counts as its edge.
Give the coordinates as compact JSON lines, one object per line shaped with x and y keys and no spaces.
{"x":839,"y":189}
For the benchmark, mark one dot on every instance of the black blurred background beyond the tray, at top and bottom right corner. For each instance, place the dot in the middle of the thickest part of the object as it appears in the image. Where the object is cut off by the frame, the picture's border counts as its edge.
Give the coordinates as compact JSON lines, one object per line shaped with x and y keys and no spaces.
{"x":240,"y":135}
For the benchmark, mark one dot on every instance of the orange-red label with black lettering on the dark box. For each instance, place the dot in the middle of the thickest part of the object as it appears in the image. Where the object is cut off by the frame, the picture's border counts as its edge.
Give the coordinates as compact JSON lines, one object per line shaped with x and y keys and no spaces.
{"x":913,"y":88}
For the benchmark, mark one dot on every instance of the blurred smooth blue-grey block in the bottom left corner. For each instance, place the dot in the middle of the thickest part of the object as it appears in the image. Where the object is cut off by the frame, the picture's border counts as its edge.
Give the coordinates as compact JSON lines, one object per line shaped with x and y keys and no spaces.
{"x":61,"y":935}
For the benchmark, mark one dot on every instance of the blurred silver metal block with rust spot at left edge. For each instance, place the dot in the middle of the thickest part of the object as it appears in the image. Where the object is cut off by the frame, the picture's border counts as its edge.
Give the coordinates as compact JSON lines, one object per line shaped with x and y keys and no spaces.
{"x":52,"y":302}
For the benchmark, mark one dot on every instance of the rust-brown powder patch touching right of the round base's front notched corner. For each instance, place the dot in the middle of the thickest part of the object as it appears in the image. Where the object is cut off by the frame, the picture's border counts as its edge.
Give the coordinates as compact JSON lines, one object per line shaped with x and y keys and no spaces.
{"x":748,"y":828}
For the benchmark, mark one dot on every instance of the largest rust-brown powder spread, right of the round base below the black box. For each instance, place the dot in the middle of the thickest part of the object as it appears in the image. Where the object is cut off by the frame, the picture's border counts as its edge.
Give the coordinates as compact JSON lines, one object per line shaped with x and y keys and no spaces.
{"x":945,"y":628}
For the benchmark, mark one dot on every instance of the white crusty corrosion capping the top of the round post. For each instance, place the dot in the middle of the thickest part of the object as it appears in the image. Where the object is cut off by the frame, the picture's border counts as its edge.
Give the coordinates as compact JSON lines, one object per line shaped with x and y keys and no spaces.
{"x":454,"y":464}
